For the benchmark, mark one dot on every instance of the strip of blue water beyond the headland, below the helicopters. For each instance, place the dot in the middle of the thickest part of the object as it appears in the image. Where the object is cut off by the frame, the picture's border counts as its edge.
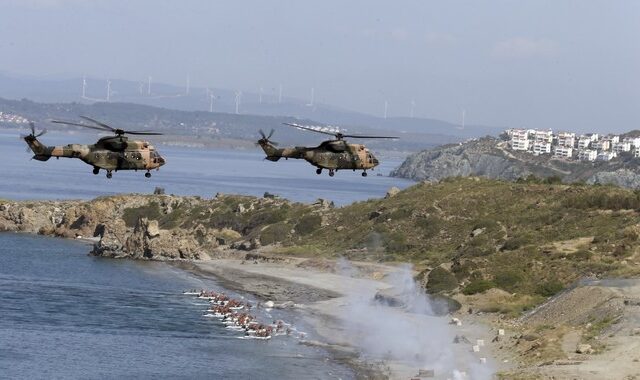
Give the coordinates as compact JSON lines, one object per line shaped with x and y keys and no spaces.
{"x":201,"y":172}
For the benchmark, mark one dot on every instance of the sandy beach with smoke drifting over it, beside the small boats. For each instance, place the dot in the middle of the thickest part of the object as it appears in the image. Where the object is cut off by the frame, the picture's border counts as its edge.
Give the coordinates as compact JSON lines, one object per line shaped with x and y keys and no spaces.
{"x":379,"y":341}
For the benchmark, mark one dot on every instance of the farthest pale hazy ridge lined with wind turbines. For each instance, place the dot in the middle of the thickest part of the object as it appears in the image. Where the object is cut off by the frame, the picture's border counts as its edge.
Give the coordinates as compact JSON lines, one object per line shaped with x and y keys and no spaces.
{"x":199,"y":99}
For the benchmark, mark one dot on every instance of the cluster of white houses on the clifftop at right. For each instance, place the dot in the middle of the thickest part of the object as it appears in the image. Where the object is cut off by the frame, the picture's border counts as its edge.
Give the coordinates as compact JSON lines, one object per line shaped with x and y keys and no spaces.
{"x":570,"y":146}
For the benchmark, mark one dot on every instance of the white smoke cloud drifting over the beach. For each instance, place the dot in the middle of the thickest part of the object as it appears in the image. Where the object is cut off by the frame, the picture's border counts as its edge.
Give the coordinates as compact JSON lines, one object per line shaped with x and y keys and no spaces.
{"x":412,"y":334}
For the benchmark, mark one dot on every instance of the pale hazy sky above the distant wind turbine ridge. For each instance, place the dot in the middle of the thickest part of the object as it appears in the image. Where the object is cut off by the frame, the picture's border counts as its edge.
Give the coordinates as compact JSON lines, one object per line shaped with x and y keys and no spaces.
{"x":558,"y":64}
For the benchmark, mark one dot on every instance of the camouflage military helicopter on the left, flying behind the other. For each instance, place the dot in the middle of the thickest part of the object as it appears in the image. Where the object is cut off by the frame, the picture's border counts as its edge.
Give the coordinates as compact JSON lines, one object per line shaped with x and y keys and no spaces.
{"x":111,"y":153}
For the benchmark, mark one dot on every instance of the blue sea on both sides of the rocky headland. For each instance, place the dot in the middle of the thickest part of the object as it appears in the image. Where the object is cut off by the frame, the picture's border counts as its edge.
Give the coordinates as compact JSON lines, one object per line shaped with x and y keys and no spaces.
{"x":65,"y":314}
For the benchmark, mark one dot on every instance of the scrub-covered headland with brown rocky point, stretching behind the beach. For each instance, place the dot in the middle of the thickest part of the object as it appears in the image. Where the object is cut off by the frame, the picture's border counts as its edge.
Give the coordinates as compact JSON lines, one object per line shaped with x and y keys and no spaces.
{"x":531,"y":239}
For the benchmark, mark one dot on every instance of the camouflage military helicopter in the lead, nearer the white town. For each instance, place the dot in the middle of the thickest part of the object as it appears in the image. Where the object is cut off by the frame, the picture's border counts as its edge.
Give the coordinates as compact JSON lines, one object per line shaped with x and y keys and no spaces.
{"x":333,"y":155}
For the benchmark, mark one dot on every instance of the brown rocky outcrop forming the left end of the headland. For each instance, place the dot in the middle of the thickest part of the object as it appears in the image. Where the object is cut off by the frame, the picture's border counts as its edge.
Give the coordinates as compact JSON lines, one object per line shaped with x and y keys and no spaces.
{"x":157,"y":227}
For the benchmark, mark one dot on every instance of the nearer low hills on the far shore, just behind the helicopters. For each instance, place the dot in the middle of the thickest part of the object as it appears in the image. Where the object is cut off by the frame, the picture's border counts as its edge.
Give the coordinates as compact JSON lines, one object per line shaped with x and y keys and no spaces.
{"x":205,"y":128}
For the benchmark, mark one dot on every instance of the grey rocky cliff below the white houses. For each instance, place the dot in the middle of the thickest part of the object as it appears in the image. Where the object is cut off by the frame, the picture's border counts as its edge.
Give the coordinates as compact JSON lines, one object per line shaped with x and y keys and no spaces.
{"x":491,"y":158}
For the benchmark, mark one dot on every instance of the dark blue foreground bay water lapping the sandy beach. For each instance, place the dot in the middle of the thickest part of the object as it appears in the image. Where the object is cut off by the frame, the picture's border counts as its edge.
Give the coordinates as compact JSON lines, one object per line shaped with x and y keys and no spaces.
{"x":64,"y":314}
